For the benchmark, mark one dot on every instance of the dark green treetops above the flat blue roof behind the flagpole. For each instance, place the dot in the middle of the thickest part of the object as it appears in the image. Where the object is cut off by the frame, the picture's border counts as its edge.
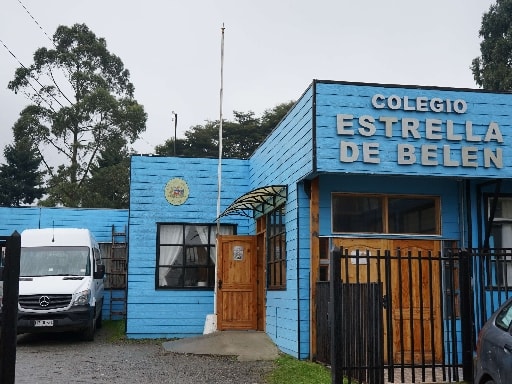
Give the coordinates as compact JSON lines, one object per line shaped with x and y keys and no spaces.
{"x":240,"y":138}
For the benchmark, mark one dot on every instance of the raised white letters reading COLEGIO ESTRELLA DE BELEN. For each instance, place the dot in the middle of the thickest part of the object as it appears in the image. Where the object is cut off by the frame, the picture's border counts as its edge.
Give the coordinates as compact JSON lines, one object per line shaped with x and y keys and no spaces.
{"x":434,"y":130}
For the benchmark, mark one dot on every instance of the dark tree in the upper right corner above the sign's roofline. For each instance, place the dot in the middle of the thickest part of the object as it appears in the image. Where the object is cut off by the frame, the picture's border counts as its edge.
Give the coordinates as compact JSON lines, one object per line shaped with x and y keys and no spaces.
{"x":493,"y":69}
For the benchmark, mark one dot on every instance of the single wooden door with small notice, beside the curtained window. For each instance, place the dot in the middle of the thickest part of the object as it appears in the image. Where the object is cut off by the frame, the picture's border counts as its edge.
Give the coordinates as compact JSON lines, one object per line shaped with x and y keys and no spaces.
{"x":237,"y":283}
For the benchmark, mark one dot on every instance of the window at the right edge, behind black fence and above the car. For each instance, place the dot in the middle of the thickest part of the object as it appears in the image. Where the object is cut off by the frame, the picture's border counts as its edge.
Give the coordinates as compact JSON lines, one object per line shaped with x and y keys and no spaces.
{"x":502,"y":235}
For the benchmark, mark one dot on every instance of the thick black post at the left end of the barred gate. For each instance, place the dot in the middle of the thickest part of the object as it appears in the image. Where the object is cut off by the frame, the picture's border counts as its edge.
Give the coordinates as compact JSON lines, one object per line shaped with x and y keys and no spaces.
{"x":335,"y":316}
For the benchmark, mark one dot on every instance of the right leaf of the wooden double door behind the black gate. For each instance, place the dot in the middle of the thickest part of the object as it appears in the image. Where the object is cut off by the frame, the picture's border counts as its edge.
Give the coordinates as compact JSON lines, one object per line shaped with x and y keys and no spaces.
{"x":416,"y":298}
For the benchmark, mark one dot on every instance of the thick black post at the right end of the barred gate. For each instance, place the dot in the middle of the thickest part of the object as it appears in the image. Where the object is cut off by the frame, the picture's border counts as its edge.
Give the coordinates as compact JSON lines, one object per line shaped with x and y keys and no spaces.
{"x":466,"y":314}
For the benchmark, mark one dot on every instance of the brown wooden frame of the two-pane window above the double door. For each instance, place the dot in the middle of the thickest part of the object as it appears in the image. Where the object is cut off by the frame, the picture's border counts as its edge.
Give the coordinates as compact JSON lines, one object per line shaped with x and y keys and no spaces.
{"x":385,"y":212}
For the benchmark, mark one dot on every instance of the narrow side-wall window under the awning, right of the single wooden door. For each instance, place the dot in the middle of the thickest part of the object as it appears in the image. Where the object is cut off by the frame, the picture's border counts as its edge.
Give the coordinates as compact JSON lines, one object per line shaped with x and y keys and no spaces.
{"x":276,"y":250}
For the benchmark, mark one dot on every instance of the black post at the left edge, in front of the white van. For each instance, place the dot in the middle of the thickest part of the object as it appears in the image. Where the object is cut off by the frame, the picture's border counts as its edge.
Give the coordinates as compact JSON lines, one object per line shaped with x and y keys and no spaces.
{"x":9,"y":314}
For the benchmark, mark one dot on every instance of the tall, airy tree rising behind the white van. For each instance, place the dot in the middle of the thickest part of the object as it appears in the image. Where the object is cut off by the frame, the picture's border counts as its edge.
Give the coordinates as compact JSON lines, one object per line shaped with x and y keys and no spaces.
{"x":79,"y":118}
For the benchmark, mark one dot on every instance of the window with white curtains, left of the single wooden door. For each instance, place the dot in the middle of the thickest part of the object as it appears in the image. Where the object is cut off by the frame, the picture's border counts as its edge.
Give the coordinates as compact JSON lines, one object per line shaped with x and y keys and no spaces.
{"x":186,"y":255}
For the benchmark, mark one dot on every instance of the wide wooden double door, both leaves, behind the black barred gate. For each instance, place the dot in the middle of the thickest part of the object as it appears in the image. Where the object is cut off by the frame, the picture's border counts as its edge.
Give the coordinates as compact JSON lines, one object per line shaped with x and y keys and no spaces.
{"x":414,"y":327}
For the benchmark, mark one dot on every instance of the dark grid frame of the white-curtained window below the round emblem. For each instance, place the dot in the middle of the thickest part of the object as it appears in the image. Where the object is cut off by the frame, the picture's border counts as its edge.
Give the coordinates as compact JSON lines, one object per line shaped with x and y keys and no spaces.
{"x":185,"y":246}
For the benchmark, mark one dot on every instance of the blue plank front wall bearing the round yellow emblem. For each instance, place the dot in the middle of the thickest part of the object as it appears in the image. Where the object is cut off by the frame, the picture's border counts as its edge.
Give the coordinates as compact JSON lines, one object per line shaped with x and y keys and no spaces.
{"x":167,"y":313}
